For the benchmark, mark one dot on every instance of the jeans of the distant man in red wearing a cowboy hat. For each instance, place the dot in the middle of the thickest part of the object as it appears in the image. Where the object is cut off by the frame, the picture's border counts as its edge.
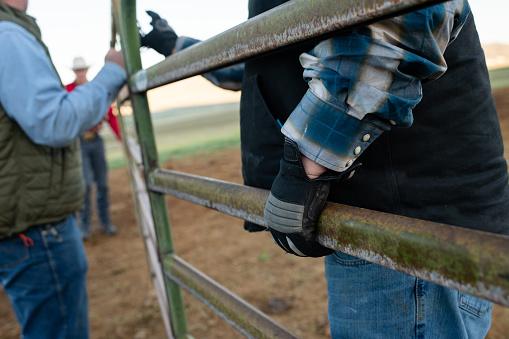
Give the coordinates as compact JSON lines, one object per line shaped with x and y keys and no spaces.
{"x":95,"y":170}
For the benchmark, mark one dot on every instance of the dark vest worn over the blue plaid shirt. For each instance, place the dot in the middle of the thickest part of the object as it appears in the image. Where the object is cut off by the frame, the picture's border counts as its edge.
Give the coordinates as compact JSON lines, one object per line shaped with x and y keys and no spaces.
{"x":448,"y":167}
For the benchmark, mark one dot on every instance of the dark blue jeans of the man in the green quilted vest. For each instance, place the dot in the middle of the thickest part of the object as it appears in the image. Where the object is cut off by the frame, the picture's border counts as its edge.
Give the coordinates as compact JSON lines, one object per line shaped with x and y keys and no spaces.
{"x":46,"y":283}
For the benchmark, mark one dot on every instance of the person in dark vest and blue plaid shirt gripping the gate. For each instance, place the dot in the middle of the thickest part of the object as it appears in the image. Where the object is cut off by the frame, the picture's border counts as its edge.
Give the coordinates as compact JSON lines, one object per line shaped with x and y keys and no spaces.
{"x":396,"y":117}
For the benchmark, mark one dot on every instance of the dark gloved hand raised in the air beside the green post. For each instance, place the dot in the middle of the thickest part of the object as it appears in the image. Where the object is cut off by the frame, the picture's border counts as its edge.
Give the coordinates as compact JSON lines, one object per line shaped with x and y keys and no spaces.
{"x":162,"y":38}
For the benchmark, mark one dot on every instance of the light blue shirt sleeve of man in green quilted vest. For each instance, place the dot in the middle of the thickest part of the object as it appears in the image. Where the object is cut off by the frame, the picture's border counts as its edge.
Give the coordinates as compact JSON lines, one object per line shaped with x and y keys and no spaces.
{"x":32,"y":95}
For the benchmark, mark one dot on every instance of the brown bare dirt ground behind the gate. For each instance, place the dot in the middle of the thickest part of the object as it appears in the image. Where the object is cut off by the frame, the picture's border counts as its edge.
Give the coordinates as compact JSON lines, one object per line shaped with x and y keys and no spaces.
{"x":123,"y":303}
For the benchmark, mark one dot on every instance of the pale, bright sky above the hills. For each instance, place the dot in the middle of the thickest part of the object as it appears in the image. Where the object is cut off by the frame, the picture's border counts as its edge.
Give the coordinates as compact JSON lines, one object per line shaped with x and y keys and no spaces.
{"x":82,"y":28}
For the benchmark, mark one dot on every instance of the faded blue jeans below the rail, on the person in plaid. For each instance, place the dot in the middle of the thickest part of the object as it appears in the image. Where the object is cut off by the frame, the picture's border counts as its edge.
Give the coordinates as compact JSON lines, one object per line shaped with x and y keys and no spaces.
{"x":371,"y":301}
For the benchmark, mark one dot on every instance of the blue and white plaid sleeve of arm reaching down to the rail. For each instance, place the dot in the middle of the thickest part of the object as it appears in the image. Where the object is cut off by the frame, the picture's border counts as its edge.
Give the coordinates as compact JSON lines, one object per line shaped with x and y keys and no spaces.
{"x":363,"y":82}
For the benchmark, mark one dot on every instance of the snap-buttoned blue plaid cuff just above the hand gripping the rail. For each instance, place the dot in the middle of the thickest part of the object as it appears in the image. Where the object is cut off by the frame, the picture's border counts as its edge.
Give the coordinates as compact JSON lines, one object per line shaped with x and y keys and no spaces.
{"x":329,"y":136}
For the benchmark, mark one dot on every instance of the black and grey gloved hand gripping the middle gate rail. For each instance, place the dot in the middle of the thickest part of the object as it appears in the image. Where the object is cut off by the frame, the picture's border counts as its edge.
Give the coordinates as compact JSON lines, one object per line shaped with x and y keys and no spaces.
{"x":295,"y":203}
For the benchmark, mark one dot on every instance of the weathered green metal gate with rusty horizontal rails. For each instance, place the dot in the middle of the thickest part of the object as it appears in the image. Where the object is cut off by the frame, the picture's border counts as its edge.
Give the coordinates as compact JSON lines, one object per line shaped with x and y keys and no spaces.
{"x":469,"y":261}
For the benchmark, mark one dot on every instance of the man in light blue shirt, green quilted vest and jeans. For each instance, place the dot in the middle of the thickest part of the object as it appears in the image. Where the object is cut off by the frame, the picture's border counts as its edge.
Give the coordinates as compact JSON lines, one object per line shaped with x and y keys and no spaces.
{"x":42,"y":263}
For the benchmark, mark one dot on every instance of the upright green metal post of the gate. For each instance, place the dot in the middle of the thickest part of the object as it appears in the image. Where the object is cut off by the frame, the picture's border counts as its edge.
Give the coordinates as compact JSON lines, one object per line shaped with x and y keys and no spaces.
{"x":127,"y":26}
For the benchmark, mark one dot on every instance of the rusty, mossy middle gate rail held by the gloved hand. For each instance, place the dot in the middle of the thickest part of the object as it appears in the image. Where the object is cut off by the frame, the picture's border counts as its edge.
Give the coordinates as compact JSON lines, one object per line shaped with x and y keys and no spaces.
{"x":467,"y":260}
